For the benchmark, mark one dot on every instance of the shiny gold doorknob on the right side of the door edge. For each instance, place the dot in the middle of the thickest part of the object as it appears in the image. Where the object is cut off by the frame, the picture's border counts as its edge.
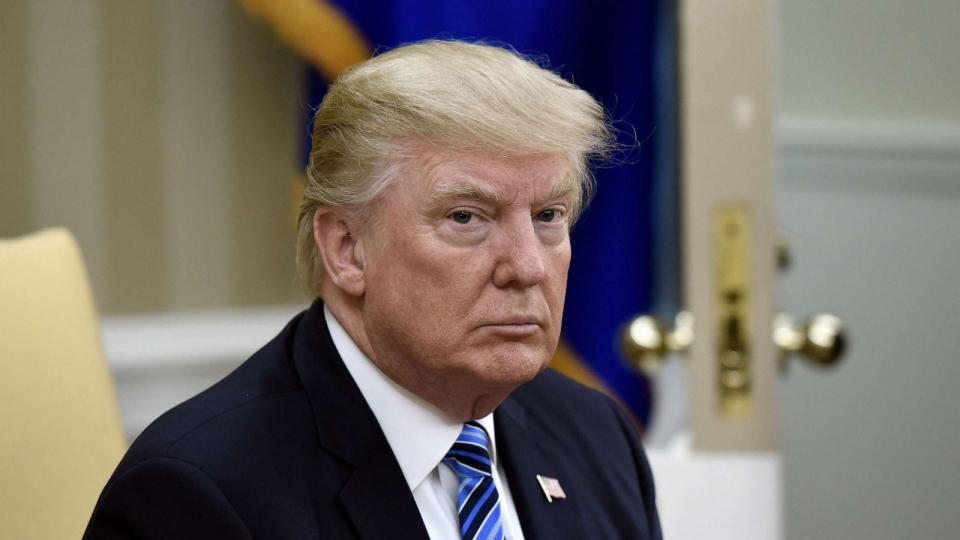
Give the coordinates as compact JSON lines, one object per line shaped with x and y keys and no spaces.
{"x":822,"y":340}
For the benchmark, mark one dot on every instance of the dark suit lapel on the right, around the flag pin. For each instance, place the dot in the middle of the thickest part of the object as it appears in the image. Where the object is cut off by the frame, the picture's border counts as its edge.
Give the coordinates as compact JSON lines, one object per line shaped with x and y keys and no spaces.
{"x":524,"y":454}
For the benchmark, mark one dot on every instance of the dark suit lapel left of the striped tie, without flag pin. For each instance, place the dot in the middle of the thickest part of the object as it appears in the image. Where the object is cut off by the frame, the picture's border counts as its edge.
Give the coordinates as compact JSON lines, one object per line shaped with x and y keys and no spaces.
{"x":376,"y":497}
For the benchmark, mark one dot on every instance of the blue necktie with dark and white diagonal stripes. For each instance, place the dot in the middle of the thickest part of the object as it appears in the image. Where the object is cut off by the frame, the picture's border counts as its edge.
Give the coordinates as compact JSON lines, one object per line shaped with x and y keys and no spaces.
{"x":477,"y":499}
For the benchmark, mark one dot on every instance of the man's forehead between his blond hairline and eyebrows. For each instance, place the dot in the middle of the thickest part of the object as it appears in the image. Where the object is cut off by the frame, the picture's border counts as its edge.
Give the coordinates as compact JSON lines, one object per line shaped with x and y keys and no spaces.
{"x":446,"y":172}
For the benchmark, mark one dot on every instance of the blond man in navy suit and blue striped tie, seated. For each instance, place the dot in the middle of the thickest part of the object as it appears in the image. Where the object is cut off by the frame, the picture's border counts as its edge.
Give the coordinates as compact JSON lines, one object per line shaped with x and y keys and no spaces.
{"x":412,"y":401}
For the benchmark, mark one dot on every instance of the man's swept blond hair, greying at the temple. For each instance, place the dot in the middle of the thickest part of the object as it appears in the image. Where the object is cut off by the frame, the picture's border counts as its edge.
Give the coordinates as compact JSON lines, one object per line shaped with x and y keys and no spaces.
{"x":450,"y":94}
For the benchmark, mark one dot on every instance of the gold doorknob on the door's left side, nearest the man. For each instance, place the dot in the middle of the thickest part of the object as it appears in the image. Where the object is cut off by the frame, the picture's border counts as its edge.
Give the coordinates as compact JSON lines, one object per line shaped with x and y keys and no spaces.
{"x":645,"y":341}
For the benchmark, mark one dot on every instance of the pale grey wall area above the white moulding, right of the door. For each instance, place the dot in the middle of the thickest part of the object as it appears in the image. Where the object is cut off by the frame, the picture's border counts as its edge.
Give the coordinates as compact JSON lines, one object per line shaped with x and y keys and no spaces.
{"x":891,"y":59}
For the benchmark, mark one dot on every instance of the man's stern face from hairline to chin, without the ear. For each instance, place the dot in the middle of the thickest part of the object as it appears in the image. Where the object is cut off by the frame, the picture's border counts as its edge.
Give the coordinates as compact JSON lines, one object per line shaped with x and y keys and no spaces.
{"x":465,"y":268}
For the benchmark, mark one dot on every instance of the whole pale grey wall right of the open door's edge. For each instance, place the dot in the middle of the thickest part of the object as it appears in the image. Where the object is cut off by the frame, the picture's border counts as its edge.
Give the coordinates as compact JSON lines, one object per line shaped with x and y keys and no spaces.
{"x":869,"y":194}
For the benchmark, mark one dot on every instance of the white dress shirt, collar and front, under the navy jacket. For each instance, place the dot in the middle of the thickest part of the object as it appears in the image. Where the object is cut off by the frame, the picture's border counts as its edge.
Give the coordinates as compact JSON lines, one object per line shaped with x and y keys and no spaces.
{"x":420,"y":436}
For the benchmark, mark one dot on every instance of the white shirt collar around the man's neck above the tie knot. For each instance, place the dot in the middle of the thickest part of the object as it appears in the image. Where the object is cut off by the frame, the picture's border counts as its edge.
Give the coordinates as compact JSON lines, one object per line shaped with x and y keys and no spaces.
{"x":418,"y":433}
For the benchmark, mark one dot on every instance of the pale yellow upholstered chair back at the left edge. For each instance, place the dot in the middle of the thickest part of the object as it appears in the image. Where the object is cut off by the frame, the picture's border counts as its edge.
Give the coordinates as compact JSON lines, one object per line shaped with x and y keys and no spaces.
{"x":60,"y":430}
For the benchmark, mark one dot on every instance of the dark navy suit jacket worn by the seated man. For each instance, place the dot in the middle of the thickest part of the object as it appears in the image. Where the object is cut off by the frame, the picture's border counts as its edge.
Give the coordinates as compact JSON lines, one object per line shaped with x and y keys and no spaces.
{"x":286,"y":447}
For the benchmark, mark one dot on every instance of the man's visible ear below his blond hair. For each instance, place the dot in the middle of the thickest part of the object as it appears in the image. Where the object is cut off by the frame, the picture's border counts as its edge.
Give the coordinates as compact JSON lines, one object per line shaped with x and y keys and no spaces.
{"x":338,"y":242}
